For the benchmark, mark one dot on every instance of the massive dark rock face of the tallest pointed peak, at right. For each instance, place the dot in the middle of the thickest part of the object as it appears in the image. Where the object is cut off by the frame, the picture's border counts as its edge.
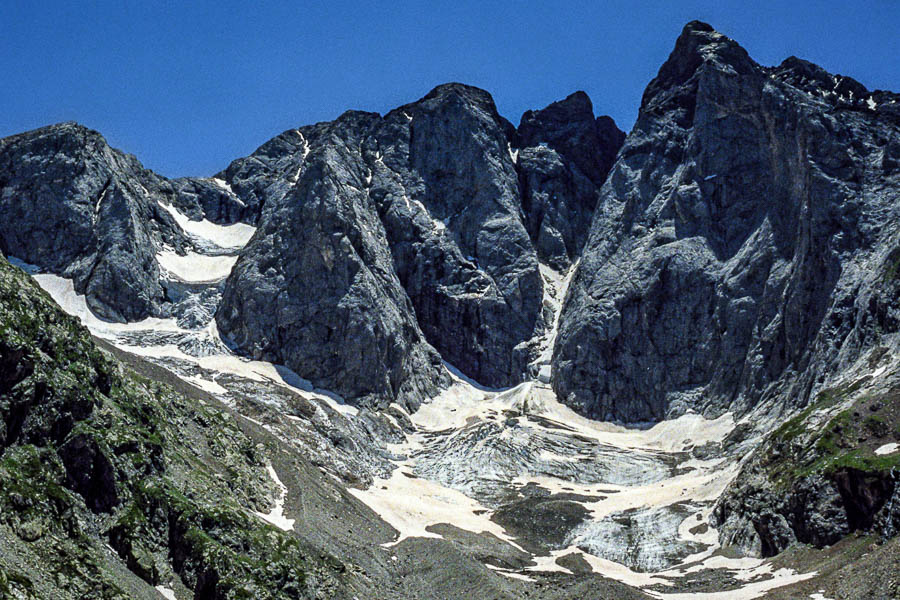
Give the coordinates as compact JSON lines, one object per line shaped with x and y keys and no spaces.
{"x":738,"y":243}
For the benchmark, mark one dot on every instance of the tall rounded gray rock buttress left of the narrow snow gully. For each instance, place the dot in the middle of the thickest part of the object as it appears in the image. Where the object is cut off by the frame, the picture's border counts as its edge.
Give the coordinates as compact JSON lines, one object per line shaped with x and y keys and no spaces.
{"x":447,"y":191}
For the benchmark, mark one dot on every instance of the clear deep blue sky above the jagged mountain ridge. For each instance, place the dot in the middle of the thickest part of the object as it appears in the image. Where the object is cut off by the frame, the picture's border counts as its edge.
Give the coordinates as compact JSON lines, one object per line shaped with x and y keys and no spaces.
{"x":189,"y":88}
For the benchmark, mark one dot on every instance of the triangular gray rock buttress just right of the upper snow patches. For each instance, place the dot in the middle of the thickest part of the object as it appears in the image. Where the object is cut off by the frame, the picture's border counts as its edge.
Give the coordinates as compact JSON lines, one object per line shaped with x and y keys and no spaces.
{"x":315,"y":289}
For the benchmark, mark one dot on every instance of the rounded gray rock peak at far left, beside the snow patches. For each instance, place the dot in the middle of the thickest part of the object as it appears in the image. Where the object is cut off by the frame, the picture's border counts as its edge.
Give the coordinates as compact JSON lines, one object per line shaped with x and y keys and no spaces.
{"x":74,"y":206}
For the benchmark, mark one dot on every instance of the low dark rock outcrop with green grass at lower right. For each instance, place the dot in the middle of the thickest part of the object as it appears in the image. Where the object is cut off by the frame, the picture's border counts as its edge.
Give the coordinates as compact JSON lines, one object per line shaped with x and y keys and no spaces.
{"x":829,"y":471}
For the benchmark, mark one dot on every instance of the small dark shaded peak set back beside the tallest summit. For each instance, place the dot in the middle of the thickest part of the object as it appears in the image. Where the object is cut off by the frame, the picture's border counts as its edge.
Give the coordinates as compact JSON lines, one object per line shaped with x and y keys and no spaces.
{"x":564,"y":157}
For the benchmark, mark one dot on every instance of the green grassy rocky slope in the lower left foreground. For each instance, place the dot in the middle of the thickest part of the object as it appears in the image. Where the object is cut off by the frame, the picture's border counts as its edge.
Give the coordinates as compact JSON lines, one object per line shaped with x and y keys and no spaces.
{"x":102,"y":468}
